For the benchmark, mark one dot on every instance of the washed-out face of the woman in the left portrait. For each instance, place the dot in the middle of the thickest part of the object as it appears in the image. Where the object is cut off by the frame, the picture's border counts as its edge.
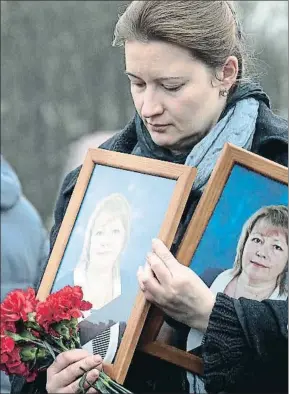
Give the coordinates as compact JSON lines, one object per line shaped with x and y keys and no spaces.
{"x":107,"y":240}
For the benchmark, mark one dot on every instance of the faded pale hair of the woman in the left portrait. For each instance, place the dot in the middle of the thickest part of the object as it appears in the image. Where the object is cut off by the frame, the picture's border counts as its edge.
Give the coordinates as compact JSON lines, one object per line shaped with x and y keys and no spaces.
{"x":116,"y":207}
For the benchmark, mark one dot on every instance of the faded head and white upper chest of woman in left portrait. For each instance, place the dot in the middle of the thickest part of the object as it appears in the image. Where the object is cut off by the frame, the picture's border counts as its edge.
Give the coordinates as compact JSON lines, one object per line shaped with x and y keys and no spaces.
{"x":98,"y":271}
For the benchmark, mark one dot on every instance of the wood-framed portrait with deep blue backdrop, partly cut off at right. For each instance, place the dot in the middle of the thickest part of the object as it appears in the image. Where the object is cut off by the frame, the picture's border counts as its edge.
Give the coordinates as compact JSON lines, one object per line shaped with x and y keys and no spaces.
{"x":244,"y":206}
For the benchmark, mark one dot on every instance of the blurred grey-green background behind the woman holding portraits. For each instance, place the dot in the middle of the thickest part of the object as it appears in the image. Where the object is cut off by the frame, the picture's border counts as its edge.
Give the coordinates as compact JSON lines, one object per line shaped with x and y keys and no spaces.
{"x":63,"y":88}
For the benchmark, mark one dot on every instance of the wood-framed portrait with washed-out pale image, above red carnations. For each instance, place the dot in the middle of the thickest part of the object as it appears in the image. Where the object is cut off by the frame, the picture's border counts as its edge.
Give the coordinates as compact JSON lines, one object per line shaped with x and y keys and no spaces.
{"x":119,"y":204}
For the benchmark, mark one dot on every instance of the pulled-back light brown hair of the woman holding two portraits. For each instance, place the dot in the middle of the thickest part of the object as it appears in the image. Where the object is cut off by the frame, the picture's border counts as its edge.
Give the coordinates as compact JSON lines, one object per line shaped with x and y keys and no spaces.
{"x":208,"y":29}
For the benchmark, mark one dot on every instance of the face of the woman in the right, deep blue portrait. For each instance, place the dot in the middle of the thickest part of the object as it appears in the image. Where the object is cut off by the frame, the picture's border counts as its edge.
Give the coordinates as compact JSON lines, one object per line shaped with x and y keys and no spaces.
{"x":266,"y":252}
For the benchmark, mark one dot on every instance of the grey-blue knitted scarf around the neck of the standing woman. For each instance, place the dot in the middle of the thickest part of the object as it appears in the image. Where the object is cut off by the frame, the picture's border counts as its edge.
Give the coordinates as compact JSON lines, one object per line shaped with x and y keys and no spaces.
{"x":236,"y":127}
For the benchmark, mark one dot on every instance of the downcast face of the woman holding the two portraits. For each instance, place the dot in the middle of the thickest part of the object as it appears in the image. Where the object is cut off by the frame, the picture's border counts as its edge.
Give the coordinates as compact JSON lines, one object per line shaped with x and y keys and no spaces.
{"x":172,"y":93}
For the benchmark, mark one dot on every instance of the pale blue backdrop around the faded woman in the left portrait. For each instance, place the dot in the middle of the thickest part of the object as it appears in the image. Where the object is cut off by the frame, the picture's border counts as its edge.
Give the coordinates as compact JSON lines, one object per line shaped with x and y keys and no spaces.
{"x":149,"y":197}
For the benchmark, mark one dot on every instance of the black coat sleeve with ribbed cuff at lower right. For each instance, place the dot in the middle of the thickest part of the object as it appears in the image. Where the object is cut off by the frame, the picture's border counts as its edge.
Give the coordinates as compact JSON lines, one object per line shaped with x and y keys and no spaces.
{"x":245,"y":348}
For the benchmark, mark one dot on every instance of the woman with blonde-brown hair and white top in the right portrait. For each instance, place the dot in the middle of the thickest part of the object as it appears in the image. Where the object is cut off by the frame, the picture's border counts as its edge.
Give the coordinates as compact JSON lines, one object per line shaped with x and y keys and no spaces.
{"x":259,"y":271}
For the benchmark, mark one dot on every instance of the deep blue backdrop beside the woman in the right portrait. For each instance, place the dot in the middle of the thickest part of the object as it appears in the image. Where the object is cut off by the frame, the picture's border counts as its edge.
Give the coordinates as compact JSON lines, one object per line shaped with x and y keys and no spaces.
{"x":244,"y":193}
